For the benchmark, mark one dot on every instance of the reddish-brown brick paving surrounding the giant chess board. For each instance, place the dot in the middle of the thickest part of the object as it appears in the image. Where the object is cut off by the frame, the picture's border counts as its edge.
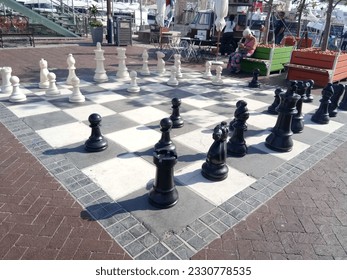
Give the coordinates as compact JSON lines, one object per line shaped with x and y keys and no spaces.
{"x":40,"y":220}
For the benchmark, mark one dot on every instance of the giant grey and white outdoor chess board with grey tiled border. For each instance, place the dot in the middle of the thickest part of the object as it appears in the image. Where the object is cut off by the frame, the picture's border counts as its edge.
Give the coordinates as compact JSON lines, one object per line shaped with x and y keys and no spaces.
{"x":113,"y":185}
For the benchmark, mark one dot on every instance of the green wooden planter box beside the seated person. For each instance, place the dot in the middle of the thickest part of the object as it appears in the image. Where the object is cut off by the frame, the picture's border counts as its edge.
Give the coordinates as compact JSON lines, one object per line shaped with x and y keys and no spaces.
{"x":267,"y":60}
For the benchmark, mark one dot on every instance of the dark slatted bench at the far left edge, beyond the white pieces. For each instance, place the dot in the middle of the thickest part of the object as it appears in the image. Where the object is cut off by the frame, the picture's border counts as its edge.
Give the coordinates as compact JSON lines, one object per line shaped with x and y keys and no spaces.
{"x":14,"y":28}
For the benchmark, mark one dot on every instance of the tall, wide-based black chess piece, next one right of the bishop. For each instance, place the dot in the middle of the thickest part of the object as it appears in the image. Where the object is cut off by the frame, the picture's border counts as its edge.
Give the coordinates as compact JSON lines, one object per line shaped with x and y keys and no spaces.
{"x":280,"y":138}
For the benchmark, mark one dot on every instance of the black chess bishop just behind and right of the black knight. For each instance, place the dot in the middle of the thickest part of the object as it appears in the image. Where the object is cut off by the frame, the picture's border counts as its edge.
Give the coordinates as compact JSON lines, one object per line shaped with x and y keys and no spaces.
{"x":236,"y":145}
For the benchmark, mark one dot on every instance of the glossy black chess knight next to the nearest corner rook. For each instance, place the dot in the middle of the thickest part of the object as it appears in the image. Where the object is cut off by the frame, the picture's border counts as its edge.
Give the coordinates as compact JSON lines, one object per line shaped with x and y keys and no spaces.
{"x":215,"y":168}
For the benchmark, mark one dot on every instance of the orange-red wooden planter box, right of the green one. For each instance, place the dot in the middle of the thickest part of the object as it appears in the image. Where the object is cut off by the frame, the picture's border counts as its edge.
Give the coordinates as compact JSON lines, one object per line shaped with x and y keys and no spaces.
{"x":320,"y":67}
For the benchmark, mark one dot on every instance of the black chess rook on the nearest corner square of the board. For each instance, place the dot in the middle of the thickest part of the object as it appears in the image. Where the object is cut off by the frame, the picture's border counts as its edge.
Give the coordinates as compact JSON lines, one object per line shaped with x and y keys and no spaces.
{"x":164,"y":193}
